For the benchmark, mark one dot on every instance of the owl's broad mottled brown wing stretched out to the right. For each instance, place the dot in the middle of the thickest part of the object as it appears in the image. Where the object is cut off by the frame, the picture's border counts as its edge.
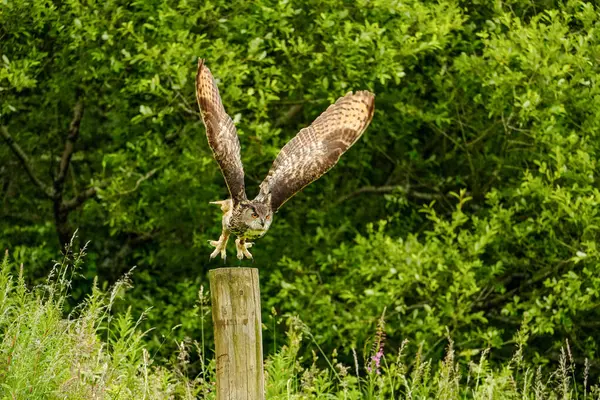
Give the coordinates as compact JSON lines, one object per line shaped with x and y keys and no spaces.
{"x":317,"y":148}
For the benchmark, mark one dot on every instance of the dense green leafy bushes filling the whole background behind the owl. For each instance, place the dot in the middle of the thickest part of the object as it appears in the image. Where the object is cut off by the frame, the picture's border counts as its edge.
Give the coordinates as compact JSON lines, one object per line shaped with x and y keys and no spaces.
{"x":470,"y":204}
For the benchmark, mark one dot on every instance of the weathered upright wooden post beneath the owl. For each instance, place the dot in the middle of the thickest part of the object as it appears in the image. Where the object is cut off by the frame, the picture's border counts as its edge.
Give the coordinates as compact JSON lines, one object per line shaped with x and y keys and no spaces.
{"x":235,"y":296}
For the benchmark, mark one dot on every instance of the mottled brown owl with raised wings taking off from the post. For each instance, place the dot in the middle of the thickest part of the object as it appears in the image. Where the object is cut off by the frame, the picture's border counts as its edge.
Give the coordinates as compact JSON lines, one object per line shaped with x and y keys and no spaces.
{"x":304,"y":159}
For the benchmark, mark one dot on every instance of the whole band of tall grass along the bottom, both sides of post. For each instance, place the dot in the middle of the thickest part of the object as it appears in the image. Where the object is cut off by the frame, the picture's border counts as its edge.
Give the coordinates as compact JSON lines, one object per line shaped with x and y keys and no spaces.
{"x":93,"y":353}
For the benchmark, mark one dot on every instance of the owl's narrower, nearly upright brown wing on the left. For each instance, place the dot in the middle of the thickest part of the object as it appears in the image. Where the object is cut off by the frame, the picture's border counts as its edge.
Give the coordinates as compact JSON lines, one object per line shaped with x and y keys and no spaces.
{"x":221,"y":133}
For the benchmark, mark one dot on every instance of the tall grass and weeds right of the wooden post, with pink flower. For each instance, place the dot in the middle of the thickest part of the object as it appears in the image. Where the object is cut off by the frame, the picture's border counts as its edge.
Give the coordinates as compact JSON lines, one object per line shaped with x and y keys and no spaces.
{"x":391,"y":375}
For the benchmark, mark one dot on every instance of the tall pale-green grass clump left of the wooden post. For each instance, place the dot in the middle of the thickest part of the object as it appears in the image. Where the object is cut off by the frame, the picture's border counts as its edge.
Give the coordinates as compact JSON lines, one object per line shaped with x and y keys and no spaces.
{"x":93,"y":353}
